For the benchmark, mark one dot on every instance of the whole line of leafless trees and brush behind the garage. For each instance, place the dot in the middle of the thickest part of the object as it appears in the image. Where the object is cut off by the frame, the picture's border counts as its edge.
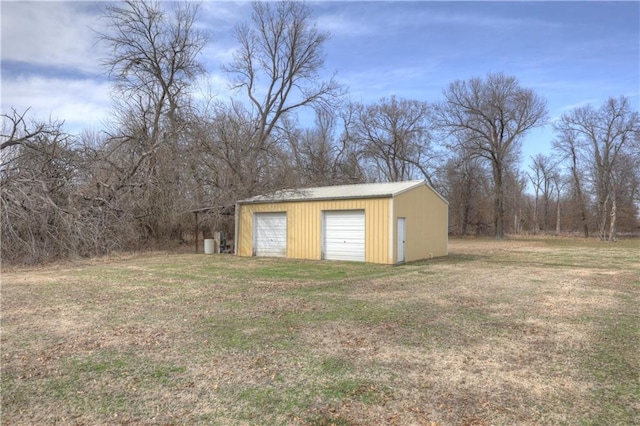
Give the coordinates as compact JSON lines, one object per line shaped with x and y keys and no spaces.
{"x":165,"y":152}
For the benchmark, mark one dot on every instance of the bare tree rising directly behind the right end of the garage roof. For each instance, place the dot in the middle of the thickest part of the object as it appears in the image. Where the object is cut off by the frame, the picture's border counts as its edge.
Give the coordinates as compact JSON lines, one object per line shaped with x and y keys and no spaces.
{"x":394,"y":135}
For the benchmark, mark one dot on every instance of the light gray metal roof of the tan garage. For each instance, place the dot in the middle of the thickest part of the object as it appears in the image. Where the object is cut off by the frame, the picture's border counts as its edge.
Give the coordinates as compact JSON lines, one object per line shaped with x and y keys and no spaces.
{"x":337,"y":192}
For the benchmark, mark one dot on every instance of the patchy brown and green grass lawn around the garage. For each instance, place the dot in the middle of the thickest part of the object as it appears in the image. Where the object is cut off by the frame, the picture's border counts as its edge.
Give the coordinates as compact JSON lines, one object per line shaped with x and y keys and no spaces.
{"x":525,"y":331}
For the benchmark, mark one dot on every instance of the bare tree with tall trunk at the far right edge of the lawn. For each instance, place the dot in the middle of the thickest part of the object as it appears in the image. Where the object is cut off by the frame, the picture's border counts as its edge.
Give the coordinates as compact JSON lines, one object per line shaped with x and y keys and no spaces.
{"x":602,"y":137}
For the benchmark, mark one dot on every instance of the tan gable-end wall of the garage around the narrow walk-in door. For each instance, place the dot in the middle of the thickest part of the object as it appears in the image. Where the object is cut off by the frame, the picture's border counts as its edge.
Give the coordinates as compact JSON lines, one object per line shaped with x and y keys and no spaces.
{"x":426,"y":223}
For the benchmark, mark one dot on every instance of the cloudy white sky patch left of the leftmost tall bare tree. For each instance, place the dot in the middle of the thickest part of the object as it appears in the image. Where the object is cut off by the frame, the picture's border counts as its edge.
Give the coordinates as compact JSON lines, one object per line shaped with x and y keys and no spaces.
{"x":51,"y":62}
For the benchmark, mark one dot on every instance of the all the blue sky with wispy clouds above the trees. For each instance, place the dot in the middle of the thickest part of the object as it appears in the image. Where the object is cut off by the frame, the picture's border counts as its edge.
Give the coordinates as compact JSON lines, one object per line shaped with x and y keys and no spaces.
{"x":571,"y":53}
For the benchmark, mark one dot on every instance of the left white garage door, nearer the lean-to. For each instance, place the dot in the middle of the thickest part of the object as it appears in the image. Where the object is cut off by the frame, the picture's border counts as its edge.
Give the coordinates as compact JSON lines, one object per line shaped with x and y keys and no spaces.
{"x":270,"y":234}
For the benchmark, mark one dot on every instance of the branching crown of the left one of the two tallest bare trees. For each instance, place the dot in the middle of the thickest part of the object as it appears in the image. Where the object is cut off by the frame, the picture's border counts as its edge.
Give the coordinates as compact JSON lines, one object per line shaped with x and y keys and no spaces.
{"x":154,"y":56}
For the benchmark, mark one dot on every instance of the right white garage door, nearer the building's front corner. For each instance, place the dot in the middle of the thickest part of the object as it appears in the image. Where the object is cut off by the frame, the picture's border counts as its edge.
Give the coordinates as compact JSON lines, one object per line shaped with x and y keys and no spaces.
{"x":343,"y":235}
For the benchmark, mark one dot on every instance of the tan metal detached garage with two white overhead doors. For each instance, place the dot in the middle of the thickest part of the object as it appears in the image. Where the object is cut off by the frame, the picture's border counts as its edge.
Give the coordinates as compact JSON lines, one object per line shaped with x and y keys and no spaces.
{"x":380,"y":223}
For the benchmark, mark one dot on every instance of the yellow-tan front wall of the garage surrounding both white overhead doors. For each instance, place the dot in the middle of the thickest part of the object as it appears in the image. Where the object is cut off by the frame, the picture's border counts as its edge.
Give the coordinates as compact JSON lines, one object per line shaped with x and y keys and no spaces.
{"x":304,"y":226}
